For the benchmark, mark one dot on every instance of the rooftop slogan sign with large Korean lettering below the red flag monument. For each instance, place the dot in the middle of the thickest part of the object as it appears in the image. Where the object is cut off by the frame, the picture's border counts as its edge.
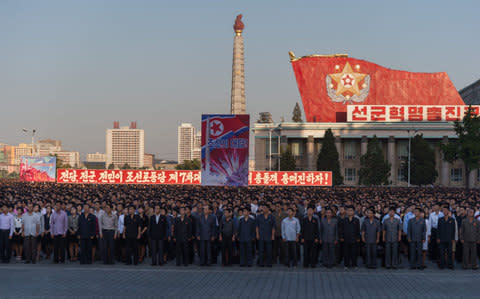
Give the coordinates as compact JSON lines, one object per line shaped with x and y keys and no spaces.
{"x":392,"y":113}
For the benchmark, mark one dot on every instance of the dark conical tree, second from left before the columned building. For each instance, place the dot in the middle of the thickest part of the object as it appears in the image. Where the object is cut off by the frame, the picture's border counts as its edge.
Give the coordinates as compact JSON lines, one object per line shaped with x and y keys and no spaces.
{"x":374,"y":170}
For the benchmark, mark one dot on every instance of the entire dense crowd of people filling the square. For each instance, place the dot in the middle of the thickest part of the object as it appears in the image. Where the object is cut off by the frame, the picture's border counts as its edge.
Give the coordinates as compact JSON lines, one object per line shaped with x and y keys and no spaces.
{"x":251,"y":226}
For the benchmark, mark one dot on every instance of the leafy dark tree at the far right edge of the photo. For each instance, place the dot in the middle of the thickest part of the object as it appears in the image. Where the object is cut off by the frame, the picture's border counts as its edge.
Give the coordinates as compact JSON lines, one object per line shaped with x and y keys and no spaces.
{"x":467,"y":147}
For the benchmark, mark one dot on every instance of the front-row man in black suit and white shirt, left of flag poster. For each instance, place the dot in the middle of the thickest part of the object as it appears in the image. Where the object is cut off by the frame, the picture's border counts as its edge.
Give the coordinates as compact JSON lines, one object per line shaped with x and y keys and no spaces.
{"x":157,"y":230}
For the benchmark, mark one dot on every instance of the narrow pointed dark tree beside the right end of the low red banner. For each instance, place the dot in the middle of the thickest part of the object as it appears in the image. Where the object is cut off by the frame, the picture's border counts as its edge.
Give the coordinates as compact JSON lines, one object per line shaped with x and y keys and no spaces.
{"x":328,"y":158}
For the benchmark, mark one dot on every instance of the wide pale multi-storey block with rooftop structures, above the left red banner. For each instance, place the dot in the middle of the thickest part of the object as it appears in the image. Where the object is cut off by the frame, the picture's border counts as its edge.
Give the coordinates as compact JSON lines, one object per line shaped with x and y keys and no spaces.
{"x":125,"y":145}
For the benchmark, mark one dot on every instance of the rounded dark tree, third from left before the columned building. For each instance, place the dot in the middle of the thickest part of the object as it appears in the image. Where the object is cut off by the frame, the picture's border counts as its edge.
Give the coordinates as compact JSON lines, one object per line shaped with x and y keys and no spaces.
{"x":422,"y":162}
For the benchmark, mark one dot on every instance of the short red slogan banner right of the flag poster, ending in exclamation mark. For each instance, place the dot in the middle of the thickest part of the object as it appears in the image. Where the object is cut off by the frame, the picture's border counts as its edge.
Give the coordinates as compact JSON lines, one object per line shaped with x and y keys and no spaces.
{"x":290,"y":178}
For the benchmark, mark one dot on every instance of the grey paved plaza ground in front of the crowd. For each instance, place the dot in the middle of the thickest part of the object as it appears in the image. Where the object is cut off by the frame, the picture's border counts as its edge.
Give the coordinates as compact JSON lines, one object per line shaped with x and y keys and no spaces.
{"x":47,"y":280}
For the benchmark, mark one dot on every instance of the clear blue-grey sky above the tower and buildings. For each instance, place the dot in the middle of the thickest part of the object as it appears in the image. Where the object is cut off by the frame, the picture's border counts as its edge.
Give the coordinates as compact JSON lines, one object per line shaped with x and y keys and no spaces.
{"x":71,"y":68}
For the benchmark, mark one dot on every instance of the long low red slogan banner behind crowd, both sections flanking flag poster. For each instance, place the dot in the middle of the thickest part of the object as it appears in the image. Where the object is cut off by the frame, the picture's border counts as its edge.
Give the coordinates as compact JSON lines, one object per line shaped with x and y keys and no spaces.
{"x":189,"y":177}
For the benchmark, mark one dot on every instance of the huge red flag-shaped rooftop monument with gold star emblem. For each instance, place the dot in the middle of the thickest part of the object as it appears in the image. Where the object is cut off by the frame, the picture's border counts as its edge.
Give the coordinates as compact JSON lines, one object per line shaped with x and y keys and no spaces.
{"x":330,"y":84}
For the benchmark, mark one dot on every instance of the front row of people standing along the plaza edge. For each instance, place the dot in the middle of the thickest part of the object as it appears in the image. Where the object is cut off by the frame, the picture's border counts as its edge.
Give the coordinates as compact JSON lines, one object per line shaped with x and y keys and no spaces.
{"x":273,"y":235}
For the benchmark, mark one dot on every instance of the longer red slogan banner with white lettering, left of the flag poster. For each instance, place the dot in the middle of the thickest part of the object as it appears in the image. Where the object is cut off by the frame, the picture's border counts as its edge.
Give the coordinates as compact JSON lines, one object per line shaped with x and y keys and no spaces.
{"x":89,"y":176}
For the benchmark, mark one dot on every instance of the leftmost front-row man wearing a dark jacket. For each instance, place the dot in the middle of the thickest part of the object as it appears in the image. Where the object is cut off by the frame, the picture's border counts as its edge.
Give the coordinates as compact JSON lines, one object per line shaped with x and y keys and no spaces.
{"x":87,"y":228}
